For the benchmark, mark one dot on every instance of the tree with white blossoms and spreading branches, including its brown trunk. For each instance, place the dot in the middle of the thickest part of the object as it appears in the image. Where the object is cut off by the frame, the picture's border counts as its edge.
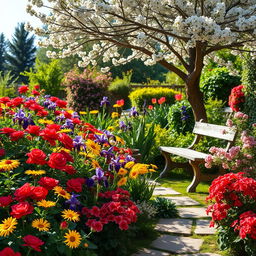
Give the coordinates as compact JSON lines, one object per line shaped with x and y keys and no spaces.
{"x":157,"y":31}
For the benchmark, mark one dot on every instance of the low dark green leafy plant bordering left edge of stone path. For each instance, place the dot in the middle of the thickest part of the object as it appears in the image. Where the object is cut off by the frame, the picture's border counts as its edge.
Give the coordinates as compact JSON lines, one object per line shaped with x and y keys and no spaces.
{"x":165,"y":208}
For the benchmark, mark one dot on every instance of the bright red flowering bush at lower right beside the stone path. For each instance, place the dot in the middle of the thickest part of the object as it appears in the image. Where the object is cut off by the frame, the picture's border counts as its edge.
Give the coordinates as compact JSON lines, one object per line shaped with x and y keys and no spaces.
{"x":233,"y":212}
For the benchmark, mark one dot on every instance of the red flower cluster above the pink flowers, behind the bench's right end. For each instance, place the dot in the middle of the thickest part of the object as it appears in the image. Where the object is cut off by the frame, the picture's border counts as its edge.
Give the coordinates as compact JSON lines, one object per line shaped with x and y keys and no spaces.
{"x":236,"y":98}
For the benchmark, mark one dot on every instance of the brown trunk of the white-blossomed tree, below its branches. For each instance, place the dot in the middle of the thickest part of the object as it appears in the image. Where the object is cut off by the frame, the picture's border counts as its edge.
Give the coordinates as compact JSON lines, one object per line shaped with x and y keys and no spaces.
{"x":195,"y":98}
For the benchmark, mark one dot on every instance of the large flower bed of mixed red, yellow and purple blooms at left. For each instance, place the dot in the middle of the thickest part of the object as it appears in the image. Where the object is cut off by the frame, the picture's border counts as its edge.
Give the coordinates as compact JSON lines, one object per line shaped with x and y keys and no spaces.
{"x":56,"y":172}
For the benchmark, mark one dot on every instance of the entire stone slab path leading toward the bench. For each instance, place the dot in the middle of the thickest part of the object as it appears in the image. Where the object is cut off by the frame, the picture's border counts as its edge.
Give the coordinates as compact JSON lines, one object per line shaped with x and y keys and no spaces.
{"x":175,"y":238}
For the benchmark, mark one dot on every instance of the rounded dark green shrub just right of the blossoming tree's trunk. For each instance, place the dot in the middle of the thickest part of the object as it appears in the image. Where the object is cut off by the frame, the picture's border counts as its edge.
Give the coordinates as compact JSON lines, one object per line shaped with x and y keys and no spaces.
{"x":217,"y":83}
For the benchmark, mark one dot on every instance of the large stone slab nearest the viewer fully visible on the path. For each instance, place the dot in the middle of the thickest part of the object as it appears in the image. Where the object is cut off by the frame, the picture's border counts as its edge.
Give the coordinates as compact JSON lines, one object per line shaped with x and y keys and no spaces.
{"x":177,"y":244}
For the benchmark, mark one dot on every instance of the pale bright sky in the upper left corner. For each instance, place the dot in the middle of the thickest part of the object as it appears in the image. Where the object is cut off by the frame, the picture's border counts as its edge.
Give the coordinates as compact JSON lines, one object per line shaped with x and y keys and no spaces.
{"x":13,"y":12}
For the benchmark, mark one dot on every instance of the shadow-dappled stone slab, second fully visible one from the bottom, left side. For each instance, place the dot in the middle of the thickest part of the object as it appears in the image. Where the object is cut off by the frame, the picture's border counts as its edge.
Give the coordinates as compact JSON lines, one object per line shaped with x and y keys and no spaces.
{"x":180,"y":226}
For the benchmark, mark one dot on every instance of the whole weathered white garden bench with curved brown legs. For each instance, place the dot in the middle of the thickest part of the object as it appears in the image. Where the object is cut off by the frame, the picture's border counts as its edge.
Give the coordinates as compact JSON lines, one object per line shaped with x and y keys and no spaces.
{"x":195,"y":158}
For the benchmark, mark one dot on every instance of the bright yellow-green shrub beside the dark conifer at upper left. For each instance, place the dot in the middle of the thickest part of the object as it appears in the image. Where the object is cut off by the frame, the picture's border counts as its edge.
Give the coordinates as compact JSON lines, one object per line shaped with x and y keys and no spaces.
{"x":48,"y":75}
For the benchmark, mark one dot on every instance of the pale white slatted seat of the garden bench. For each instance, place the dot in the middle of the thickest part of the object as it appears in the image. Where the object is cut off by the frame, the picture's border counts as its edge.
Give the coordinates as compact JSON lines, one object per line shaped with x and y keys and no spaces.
{"x":185,"y":152}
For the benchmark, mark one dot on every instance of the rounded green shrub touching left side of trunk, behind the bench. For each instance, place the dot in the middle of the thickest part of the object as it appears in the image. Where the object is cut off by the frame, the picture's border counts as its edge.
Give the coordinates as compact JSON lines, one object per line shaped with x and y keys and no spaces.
{"x":180,"y":117}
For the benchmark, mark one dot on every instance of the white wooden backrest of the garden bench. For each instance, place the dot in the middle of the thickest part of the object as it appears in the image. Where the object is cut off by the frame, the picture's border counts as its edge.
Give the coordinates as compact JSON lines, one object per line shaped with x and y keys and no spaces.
{"x":215,"y":131}
